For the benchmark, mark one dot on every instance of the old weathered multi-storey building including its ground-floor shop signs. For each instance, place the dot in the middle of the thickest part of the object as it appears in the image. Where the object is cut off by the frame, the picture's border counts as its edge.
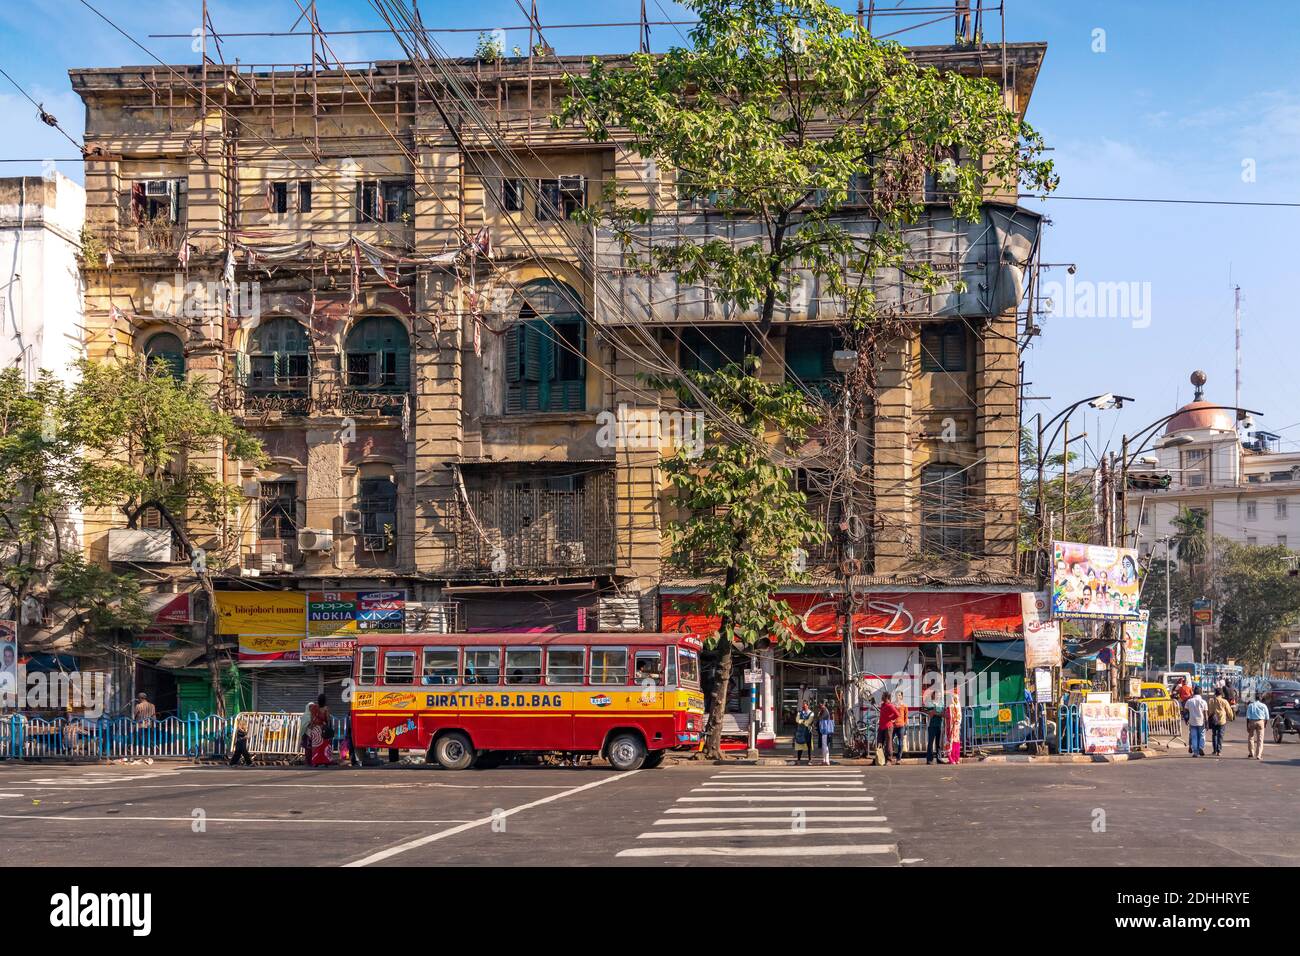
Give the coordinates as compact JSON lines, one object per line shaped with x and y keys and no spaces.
{"x":378,"y":272}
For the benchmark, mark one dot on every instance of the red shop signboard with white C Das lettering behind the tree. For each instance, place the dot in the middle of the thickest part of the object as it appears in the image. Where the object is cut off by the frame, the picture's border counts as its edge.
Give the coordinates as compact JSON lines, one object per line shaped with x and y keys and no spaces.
{"x":918,"y":617}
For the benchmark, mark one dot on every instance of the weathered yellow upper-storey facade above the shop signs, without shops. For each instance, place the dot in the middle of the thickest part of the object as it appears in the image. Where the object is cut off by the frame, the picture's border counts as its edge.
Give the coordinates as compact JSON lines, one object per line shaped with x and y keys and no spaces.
{"x":499,"y":485}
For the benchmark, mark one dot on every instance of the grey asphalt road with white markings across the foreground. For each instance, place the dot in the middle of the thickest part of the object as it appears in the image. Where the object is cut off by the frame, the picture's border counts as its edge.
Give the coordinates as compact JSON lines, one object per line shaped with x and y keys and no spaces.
{"x":1150,"y":812}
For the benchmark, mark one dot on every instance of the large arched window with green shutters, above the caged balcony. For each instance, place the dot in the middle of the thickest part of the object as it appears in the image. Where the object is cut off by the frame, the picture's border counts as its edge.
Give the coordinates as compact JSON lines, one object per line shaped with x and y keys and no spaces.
{"x":545,"y":351}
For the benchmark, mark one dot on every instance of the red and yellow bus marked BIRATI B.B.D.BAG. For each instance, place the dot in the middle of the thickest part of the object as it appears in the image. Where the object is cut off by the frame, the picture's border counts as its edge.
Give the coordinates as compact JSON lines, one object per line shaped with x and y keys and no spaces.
{"x":469,"y":699}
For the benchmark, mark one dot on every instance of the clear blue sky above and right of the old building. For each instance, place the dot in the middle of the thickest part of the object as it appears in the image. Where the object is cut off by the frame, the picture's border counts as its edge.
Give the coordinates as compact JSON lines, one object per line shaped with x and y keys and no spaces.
{"x":1184,"y":100}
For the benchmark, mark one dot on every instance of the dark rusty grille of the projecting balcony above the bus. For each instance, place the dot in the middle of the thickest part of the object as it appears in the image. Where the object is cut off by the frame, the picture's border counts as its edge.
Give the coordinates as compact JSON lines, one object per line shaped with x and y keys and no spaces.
{"x":513,"y":529}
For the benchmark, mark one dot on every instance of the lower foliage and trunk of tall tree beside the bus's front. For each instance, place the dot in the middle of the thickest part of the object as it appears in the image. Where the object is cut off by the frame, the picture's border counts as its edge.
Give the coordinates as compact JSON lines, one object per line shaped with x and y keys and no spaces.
{"x":744,"y":516}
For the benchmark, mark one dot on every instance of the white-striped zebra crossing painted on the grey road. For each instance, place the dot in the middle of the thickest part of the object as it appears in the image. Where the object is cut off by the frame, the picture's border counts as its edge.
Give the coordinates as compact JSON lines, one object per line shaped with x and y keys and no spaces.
{"x":820,"y":812}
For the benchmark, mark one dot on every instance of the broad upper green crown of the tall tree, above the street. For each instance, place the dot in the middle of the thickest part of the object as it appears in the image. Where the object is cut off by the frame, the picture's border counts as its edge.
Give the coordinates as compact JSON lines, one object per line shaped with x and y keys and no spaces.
{"x":774,"y":114}
